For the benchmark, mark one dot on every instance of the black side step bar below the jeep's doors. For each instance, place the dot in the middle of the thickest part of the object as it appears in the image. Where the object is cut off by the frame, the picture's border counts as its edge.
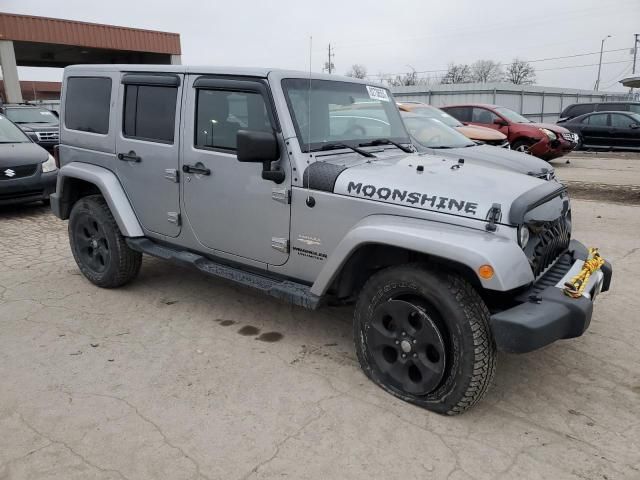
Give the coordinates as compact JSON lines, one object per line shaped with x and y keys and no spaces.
{"x":291,"y":292}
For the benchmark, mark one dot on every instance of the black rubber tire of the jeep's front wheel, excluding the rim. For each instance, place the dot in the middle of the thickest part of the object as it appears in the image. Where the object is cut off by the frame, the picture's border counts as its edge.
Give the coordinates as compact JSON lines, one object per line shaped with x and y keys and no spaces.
{"x":463,"y":320}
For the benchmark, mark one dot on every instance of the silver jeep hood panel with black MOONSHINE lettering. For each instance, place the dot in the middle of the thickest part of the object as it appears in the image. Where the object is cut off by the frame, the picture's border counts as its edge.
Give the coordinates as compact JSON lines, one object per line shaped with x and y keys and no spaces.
{"x":434,"y":183}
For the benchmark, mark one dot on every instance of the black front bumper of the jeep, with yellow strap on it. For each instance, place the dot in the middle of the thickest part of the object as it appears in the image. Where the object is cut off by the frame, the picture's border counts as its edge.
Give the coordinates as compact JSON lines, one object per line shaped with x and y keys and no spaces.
{"x":546,"y":314}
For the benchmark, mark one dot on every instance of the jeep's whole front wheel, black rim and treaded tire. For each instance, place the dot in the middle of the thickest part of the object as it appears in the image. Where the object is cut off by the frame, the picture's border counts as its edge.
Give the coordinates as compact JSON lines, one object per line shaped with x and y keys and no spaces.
{"x":424,"y":337}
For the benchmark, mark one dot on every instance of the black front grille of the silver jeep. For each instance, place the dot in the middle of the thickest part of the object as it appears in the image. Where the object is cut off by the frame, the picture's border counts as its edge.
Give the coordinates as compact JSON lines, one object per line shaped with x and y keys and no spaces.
{"x":551,"y":240}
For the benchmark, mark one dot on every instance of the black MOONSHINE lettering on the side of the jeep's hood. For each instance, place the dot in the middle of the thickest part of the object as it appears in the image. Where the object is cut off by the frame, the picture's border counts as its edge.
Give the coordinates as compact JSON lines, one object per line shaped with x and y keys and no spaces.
{"x":412,"y":198}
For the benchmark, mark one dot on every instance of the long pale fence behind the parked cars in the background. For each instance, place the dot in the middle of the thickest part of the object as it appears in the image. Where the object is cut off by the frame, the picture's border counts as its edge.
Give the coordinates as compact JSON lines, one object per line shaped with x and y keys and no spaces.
{"x":542,"y":104}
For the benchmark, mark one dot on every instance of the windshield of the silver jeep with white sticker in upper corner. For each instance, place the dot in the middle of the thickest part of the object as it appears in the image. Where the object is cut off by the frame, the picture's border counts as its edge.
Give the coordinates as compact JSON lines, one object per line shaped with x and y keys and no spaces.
{"x":342,"y":112}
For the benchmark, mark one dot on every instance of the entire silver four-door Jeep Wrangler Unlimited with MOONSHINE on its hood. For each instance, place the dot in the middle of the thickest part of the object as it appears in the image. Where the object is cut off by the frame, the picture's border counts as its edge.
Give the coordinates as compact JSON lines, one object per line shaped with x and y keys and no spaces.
{"x":307,"y":187}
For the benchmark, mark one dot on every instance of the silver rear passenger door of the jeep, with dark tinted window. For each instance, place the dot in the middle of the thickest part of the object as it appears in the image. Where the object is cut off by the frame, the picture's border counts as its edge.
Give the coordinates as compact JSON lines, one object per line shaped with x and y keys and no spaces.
{"x":148,"y":148}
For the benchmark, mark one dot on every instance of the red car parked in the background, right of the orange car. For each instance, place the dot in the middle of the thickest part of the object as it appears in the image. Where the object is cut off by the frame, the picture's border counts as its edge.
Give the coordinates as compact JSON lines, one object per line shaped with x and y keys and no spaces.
{"x":543,"y":140}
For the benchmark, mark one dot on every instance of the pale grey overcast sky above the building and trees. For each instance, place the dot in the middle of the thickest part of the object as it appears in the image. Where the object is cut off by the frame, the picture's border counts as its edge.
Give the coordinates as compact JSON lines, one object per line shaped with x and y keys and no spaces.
{"x":386,"y":36}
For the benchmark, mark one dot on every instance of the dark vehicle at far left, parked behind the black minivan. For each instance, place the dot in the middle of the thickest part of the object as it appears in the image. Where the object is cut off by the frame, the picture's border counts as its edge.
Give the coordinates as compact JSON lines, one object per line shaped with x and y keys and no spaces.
{"x":40,"y":124}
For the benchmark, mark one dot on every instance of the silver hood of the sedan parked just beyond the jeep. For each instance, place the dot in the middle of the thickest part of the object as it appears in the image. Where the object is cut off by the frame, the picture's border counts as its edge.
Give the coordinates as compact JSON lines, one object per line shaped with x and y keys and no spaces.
{"x":498,"y":158}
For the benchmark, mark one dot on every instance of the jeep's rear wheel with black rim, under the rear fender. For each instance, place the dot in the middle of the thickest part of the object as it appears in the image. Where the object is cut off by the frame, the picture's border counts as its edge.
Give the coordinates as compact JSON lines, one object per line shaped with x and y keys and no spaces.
{"x":123,"y":263}
